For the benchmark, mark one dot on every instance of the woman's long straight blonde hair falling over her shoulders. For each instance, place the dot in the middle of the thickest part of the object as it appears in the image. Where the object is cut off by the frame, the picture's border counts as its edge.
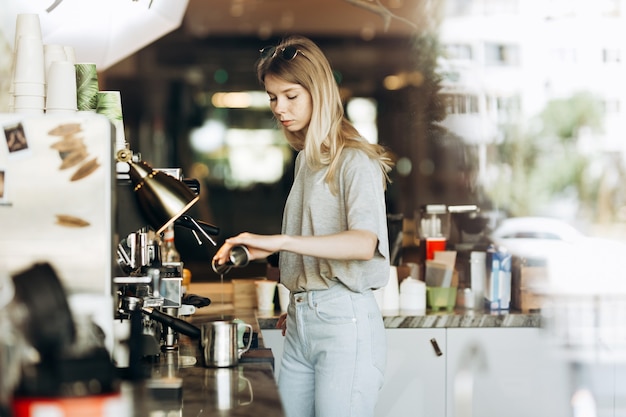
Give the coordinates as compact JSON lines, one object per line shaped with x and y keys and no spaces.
{"x":329,"y":131}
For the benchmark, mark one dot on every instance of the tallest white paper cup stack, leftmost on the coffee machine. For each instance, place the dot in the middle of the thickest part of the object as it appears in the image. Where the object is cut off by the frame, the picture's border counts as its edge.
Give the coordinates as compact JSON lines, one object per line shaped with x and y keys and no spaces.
{"x":28,"y":83}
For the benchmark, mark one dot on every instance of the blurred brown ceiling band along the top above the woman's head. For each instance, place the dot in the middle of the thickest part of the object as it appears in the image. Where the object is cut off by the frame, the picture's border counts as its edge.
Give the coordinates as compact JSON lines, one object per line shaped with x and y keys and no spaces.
{"x":266,"y":18}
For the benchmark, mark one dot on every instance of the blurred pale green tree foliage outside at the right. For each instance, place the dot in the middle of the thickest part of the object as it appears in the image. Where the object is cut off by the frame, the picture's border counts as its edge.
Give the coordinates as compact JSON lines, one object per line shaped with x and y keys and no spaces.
{"x":541,"y":165}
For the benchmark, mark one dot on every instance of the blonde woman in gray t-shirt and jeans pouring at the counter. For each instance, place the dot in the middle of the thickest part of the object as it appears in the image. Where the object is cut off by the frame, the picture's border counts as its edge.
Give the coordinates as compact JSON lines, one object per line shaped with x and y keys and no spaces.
{"x":333,"y":247}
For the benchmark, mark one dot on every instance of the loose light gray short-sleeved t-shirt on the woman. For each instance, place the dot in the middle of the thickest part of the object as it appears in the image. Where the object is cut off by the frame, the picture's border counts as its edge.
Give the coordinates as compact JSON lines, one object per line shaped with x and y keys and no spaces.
{"x":313,"y":210}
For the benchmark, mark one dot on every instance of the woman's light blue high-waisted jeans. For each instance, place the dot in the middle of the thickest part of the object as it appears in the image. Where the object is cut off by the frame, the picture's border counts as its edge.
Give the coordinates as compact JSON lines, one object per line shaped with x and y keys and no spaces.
{"x":334,"y":356}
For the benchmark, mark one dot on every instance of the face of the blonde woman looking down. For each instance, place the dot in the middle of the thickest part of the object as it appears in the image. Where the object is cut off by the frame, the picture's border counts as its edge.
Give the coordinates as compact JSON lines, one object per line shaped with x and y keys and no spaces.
{"x":291,"y":103}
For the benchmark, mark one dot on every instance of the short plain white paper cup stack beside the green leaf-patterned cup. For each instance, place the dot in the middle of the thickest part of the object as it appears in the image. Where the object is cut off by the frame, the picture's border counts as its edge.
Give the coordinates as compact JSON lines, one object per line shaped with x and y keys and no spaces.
{"x":61,"y":94}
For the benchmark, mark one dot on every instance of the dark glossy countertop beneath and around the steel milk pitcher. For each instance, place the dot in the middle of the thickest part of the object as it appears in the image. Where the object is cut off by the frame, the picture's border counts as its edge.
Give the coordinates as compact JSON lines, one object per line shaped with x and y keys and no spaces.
{"x":180,"y":385}
